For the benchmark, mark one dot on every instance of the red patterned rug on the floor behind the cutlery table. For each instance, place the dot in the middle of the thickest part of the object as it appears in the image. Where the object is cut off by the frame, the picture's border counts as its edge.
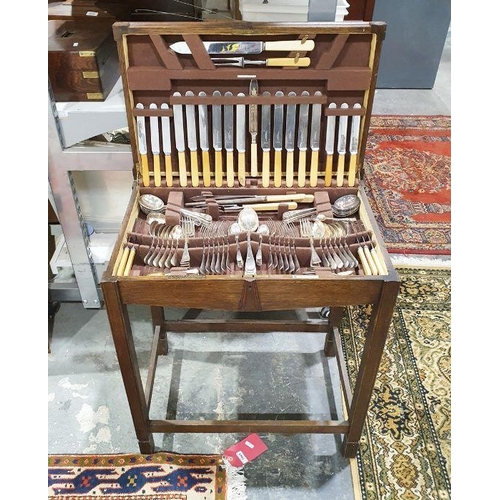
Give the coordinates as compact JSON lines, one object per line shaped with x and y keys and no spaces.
{"x":408,"y":182}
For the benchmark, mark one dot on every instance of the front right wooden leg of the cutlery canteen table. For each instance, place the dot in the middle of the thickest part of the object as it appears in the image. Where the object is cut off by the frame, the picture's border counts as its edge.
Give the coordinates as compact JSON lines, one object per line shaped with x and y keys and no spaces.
{"x":376,"y":335}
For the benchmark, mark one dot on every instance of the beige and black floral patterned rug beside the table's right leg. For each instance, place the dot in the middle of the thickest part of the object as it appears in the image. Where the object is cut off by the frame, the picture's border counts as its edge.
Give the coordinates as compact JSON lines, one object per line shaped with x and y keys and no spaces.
{"x":405,"y":450}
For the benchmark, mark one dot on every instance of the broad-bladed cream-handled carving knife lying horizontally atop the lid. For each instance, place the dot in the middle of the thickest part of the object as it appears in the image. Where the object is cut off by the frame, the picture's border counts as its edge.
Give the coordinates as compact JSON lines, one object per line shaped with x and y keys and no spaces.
{"x":250,"y":47}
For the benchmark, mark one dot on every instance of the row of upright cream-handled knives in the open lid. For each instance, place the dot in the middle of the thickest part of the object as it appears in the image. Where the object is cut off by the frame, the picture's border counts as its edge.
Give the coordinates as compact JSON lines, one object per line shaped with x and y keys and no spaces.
{"x":230,"y":168}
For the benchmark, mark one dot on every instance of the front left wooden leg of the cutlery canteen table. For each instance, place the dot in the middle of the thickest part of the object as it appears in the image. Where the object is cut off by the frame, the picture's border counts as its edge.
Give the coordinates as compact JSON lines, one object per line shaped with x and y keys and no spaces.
{"x":129,"y":366}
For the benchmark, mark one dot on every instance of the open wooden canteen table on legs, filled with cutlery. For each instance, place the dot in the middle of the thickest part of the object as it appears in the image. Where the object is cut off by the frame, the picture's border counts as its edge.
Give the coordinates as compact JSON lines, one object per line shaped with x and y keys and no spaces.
{"x":248,"y":143}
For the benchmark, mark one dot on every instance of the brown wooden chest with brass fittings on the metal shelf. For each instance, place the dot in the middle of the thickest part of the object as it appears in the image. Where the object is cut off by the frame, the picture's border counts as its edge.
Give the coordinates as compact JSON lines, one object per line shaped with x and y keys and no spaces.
{"x":82,"y":60}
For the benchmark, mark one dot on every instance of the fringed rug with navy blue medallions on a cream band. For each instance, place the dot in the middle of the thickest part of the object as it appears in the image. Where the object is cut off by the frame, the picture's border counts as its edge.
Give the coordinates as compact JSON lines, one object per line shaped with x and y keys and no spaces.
{"x":160,"y":476}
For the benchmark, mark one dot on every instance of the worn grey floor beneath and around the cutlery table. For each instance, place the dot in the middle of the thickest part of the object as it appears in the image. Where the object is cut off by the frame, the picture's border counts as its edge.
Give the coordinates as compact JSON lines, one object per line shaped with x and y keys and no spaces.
{"x":280,"y":373}
